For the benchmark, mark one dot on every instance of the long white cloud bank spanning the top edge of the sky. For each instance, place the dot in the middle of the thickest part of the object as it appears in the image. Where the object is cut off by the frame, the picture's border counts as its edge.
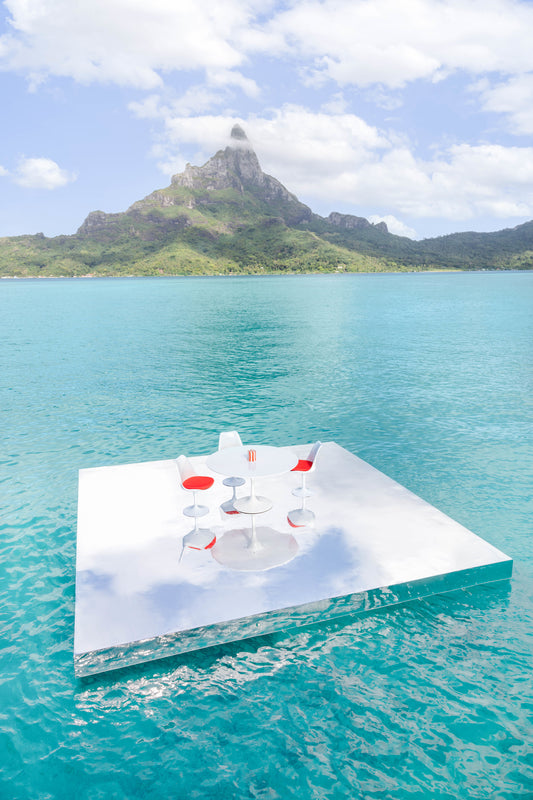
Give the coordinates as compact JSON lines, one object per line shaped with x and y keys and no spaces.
{"x":359,"y":42}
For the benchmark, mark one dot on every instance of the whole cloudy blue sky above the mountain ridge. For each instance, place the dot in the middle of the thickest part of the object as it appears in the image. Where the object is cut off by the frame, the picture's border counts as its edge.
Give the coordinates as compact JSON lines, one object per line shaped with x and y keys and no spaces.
{"x":419,"y":112}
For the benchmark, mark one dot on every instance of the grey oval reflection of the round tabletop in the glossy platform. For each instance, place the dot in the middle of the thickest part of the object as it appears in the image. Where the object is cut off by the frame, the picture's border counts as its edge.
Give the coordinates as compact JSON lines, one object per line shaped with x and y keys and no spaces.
{"x":269,"y":549}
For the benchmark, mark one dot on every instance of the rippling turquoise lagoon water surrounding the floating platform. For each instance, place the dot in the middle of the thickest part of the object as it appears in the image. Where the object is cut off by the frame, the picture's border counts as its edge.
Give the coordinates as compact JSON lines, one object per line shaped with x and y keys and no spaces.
{"x":429,"y":377}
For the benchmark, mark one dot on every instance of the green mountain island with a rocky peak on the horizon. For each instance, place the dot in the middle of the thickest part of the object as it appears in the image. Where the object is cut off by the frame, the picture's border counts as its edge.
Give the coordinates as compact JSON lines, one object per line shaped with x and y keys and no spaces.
{"x":230,"y":217}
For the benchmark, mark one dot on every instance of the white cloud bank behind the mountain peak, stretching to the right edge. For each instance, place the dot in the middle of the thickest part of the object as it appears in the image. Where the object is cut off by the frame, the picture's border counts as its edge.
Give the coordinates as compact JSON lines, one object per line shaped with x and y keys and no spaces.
{"x":340,"y":159}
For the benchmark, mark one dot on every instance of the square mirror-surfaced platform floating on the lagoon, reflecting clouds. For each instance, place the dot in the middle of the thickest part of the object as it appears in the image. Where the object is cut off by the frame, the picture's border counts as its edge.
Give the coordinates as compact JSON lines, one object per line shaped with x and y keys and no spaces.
{"x":374,"y":543}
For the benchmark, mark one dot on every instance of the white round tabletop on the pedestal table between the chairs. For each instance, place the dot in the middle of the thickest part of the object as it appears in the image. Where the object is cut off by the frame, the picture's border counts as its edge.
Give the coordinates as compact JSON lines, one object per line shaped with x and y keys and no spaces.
{"x":269,"y":461}
